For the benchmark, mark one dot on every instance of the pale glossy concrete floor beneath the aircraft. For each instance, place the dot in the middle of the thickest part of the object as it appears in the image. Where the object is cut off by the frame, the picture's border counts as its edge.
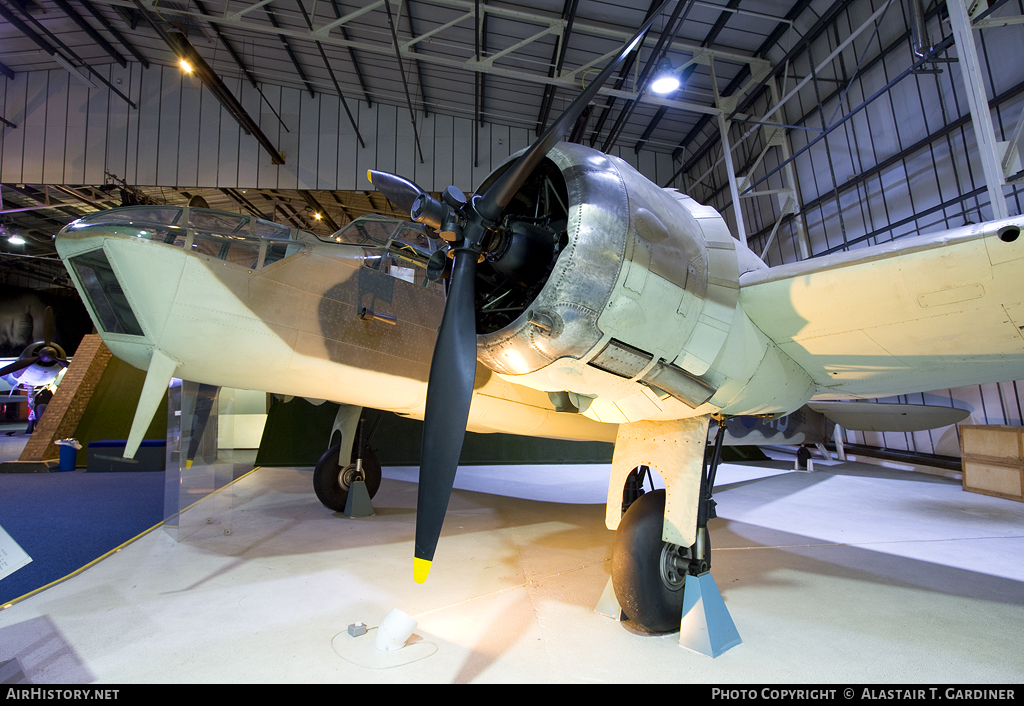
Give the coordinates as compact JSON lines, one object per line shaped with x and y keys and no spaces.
{"x":855,"y":573}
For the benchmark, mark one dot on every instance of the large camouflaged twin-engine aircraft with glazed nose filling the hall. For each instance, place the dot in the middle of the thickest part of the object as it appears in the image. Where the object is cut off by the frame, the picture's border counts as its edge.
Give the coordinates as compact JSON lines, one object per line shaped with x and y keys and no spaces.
{"x":582,"y":302}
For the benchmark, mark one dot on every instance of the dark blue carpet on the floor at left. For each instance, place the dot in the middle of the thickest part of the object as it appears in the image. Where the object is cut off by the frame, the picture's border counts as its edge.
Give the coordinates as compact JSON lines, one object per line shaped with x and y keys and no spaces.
{"x":66,"y":521}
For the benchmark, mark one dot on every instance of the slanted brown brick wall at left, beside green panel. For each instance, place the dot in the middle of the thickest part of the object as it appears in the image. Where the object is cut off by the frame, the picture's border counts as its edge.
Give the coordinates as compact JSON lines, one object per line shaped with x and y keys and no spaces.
{"x":69,"y":403}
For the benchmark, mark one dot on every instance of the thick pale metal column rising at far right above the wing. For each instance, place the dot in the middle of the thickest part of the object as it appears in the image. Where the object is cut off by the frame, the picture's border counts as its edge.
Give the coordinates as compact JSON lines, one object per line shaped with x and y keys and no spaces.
{"x":980,"y":115}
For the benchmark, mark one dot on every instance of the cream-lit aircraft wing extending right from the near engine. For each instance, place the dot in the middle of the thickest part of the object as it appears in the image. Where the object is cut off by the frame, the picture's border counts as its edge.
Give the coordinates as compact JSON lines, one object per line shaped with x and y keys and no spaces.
{"x":922,"y":314}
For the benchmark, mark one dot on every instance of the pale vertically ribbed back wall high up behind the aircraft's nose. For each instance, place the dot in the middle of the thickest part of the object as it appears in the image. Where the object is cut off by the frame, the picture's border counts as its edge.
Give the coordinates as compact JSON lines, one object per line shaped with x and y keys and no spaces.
{"x":180,"y":136}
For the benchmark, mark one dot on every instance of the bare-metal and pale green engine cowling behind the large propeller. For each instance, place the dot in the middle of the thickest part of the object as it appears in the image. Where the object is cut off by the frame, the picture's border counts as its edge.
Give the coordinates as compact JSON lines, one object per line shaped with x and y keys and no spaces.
{"x":627,"y":320}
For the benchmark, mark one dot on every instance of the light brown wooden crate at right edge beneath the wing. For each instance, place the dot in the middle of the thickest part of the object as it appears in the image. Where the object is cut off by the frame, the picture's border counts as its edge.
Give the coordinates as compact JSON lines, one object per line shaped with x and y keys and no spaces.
{"x":994,"y":461}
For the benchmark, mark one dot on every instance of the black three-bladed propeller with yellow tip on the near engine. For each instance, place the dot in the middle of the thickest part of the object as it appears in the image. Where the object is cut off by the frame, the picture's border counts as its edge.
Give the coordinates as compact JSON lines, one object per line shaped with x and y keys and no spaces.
{"x":474,"y":228}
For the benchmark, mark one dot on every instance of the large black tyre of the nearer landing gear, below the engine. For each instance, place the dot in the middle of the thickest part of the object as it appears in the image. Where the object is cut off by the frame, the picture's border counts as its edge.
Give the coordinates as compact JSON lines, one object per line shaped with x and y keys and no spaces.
{"x":649,"y":574}
